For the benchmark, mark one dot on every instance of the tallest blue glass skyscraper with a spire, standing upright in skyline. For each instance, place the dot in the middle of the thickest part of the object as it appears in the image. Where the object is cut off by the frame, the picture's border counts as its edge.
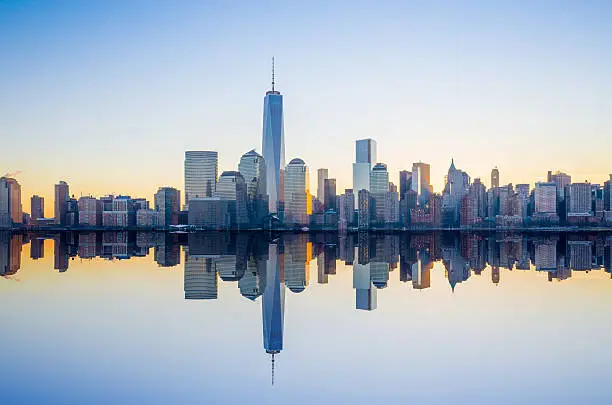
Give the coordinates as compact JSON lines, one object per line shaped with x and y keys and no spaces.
{"x":274,"y":145}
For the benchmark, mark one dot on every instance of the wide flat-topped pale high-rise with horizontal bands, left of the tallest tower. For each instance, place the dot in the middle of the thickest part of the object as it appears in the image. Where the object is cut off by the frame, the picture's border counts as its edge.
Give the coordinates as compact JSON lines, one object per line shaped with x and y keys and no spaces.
{"x":201,"y":172}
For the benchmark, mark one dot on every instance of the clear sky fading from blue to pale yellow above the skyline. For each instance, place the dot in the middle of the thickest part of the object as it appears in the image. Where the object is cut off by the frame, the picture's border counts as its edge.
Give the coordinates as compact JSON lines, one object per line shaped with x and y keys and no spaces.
{"x":108,"y":95}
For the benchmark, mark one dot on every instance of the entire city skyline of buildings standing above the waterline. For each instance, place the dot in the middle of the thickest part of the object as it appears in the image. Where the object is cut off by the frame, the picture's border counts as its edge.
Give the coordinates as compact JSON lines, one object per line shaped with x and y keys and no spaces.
{"x":265,"y":192}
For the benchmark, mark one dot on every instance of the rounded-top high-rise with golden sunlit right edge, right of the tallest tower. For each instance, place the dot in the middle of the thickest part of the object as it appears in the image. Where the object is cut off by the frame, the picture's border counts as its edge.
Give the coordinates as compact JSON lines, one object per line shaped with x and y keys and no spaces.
{"x":298,"y":201}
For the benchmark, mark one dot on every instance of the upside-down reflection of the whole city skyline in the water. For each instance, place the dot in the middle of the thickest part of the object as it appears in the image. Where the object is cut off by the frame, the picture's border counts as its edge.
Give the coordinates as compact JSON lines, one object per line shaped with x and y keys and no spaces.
{"x":265,"y":266}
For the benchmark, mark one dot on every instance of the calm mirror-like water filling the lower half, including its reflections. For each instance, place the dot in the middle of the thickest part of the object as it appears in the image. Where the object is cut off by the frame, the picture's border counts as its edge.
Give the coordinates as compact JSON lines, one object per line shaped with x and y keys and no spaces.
{"x":218,"y":318}
